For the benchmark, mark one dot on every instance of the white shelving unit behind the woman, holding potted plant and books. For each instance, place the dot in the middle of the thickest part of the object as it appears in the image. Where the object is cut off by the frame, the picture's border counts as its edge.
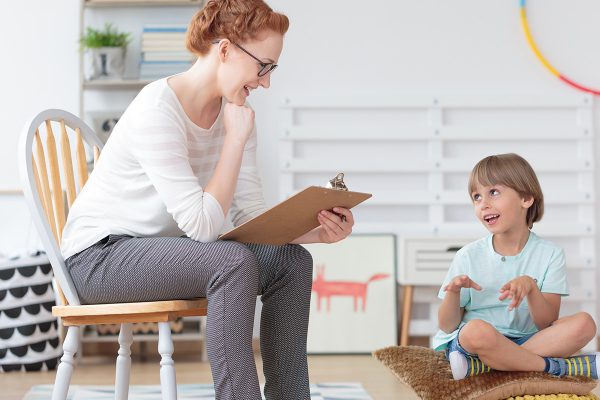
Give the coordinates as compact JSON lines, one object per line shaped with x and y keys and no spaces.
{"x":113,"y":95}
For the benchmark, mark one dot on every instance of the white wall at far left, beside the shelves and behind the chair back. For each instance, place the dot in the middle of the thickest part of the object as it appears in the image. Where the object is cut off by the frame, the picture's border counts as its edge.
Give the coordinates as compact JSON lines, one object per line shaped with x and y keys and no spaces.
{"x":38,"y":70}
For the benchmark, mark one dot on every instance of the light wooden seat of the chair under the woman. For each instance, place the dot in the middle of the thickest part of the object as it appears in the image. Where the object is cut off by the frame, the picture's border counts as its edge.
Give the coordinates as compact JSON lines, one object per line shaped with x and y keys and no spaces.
{"x":116,"y":313}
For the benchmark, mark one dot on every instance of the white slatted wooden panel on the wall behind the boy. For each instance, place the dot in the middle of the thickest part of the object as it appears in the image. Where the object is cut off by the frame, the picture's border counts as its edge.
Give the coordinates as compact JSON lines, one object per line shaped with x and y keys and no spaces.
{"x":414,"y":153}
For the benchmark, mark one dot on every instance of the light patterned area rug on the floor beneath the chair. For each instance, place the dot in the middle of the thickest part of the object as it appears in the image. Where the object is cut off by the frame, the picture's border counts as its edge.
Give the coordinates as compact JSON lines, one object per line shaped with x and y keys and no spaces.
{"x":320,"y":391}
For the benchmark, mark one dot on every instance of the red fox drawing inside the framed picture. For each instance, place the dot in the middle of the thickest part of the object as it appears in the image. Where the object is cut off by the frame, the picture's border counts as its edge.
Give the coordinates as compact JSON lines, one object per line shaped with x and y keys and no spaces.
{"x":325,"y":289}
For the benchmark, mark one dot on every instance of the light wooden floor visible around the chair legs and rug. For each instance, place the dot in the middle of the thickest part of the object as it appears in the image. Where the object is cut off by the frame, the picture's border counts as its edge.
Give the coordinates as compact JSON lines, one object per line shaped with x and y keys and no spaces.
{"x":376,"y":379}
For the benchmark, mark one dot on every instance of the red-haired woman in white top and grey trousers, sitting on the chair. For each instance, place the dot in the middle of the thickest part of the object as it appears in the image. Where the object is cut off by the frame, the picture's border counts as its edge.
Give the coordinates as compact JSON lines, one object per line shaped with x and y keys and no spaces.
{"x":181,"y":157}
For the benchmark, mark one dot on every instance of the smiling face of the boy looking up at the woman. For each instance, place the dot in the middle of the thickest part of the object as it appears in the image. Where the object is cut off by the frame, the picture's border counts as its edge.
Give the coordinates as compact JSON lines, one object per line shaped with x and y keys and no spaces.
{"x":500,"y":208}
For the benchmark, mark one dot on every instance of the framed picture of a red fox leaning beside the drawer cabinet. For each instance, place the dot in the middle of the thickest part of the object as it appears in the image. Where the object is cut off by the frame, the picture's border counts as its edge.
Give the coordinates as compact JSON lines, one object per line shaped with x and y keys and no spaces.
{"x":353,"y":304}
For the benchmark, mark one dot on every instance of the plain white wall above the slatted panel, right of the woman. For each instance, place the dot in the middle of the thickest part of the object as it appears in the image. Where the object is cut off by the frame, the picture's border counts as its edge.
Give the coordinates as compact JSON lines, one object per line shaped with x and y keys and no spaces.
{"x":433,"y":47}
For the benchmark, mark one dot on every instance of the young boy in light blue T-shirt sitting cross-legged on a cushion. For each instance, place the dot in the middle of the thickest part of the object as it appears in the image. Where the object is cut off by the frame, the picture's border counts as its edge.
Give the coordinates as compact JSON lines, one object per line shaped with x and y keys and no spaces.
{"x":502,"y":294}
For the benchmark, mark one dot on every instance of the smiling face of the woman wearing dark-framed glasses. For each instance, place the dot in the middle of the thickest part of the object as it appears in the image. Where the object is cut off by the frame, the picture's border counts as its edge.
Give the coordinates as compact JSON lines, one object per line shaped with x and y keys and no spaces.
{"x":238,"y":74}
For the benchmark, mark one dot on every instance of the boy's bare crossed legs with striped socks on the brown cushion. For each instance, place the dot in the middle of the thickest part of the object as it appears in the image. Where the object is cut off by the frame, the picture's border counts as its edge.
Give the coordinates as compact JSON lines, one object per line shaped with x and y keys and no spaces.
{"x":563,"y":338}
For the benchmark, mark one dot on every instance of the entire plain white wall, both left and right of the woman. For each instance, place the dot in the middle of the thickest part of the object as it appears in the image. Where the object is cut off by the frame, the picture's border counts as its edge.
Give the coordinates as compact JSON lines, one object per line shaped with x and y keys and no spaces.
{"x":348,"y":48}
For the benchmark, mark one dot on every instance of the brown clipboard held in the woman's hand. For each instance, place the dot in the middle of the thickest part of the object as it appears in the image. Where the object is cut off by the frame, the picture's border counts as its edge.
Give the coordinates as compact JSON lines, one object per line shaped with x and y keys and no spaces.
{"x":293,"y":217}
